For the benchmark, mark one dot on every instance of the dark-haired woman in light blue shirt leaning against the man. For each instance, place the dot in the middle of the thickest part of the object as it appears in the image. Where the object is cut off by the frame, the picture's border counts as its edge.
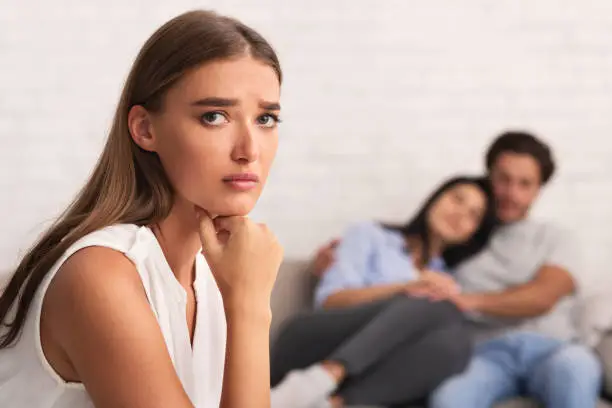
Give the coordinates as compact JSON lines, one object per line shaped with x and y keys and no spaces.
{"x":374,"y":340}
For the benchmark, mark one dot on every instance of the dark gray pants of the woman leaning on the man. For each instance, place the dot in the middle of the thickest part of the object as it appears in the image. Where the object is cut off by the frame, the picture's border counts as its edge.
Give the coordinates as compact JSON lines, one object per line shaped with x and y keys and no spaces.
{"x":394,"y":351}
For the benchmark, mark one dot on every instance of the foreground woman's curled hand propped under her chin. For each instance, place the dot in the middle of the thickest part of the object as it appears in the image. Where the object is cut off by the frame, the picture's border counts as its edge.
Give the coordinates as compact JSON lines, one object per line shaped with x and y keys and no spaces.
{"x":244,"y":258}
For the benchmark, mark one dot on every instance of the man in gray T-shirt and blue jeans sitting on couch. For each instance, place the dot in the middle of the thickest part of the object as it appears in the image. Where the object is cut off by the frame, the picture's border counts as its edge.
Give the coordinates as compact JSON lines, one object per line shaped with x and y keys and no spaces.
{"x":519,"y":293}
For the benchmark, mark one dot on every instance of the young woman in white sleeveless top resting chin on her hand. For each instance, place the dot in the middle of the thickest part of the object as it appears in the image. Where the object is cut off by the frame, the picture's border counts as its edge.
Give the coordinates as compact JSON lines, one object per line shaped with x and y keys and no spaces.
{"x":115,"y":306}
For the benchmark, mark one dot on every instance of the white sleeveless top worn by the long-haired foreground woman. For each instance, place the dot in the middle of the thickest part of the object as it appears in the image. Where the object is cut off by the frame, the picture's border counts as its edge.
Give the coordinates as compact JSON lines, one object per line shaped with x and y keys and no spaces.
{"x":28,"y":381}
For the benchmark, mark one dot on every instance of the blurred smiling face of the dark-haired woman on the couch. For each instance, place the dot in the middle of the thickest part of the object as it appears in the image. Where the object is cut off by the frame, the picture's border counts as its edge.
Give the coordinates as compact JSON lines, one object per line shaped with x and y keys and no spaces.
{"x":457,"y":213}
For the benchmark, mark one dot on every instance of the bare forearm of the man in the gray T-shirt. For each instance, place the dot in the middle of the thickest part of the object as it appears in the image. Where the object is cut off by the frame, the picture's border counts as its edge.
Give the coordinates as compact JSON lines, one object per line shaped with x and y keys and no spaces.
{"x":534,"y":298}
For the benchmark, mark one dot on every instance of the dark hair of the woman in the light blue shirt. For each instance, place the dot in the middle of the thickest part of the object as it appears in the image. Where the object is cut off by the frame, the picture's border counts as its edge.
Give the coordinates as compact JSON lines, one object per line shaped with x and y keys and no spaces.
{"x":417,"y":226}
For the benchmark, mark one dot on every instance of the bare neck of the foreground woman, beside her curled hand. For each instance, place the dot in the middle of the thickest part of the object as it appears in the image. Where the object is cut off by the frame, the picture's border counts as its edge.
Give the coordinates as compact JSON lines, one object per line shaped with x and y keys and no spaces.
{"x":178,"y":236}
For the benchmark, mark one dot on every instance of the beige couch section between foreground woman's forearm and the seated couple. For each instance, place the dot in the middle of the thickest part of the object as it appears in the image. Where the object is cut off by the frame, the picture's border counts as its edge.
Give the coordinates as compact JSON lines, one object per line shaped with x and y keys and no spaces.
{"x":292,"y":293}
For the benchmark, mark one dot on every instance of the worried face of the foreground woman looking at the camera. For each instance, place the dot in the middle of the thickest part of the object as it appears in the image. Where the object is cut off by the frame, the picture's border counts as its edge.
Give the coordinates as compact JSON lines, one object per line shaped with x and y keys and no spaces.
{"x":217,"y":134}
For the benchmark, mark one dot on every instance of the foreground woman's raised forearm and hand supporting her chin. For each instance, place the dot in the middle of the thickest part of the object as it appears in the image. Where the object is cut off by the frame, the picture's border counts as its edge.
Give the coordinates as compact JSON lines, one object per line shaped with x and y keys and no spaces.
{"x":244,"y":258}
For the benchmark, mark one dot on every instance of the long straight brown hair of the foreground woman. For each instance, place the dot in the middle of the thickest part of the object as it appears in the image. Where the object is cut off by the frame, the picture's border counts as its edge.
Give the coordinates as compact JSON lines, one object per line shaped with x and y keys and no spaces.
{"x":128,"y":184}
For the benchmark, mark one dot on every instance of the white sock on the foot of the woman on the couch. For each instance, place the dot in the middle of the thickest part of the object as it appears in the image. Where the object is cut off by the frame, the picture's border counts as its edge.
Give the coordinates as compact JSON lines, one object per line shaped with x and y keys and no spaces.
{"x":303,"y":388}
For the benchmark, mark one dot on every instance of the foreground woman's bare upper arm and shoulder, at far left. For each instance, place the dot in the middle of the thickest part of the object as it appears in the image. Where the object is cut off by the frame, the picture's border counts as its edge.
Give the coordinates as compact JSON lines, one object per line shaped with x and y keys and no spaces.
{"x":96,"y":312}
